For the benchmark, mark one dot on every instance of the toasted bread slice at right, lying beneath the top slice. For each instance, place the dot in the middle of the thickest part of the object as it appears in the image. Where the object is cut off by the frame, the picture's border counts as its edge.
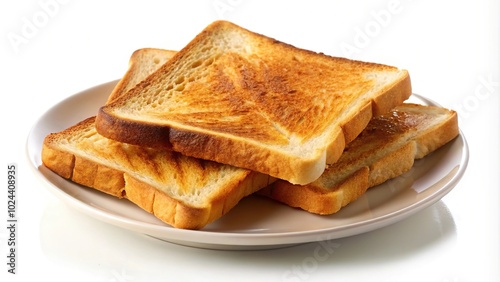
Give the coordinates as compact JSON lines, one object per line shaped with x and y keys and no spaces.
{"x":386,"y":149}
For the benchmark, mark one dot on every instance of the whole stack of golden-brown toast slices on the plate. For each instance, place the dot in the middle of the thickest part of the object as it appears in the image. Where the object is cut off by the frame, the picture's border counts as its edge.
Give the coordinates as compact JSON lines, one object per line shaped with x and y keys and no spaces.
{"x":186,"y":135}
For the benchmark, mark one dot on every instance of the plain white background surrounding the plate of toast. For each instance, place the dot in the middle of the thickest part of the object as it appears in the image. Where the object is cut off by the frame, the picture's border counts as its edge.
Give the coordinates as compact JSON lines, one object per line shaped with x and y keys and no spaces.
{"x":451,"y":49}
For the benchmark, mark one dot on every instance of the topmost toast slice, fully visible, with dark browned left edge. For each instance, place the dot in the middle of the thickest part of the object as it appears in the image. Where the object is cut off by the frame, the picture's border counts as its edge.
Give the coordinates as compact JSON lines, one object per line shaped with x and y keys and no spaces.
{"x":244,"y":99}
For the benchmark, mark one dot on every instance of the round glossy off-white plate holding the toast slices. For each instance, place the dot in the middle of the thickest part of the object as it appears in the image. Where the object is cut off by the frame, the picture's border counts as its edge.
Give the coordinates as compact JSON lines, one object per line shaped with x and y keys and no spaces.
{"x":255,"y":223}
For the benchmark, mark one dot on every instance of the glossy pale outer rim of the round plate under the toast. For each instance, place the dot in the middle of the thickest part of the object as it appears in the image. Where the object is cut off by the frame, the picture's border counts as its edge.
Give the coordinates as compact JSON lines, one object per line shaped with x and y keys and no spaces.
{"x":239,"y":241}
